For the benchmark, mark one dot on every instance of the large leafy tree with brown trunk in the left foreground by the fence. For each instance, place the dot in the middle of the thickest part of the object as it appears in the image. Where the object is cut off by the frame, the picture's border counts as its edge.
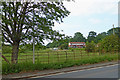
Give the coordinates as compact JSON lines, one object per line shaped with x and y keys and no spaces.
{"x":22,"y":21}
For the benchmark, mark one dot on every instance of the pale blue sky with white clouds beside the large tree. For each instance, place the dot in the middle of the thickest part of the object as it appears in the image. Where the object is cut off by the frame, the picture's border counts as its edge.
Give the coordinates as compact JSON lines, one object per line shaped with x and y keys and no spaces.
{"x":89,"y":15}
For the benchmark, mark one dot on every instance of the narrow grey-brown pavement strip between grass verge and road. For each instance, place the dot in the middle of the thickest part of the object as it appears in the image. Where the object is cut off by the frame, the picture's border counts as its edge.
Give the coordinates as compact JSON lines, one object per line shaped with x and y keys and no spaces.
{"x":52,"y":72}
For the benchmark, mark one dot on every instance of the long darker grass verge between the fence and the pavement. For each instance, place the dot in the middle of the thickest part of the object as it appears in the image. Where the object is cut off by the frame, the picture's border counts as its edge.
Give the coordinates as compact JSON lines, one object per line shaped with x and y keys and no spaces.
{"x":28,"y":66}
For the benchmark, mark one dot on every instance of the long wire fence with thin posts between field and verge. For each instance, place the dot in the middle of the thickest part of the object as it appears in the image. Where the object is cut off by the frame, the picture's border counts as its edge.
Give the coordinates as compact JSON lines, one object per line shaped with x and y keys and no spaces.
{"x":58,"y":56}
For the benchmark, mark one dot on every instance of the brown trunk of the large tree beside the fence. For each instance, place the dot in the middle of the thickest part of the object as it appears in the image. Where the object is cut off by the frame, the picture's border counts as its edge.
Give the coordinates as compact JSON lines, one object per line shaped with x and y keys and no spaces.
{"x":14,"y":58}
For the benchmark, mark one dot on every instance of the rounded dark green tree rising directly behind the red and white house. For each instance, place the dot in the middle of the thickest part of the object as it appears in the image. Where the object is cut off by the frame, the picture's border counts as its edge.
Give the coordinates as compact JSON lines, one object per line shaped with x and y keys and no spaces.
{"x":78,"y":37}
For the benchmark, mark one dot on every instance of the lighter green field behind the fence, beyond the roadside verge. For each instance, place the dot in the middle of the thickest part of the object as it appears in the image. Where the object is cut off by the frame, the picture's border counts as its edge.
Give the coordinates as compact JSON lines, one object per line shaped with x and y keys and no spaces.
{"x":44,"y":56}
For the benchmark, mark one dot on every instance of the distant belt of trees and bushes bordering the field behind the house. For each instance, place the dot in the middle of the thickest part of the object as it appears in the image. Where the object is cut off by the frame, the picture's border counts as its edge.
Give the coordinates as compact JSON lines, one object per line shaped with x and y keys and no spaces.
{"x":93,"y":39}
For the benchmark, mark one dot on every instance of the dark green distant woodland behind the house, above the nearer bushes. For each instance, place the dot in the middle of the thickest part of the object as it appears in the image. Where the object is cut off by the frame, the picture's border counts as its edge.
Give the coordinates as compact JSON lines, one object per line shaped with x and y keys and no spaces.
{"x":92,"y":37}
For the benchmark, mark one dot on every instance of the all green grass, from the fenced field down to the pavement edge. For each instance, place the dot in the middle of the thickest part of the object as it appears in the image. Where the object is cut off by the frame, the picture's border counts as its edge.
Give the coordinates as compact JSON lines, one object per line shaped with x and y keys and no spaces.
{"x":55,"y":60}
